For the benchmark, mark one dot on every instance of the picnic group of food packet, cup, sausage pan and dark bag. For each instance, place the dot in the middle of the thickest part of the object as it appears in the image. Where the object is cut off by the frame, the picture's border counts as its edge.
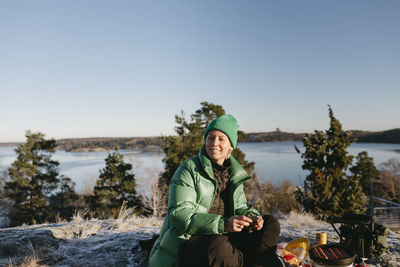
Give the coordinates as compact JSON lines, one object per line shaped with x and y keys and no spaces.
{"x":360,"y":239}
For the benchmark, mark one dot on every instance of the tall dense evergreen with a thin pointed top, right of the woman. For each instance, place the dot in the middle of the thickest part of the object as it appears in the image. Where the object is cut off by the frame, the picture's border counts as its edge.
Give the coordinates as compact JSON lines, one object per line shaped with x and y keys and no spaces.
{"x":332,"y":191}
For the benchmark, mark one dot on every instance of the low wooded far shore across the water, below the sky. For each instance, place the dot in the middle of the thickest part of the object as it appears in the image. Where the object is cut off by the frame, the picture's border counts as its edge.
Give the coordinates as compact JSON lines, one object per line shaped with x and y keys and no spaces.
{"x":108,"y":143}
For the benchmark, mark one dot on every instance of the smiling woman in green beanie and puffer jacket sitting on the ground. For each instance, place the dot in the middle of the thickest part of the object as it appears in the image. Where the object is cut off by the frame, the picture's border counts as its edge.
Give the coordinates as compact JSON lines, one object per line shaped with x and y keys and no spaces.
{"x":208,"y":221}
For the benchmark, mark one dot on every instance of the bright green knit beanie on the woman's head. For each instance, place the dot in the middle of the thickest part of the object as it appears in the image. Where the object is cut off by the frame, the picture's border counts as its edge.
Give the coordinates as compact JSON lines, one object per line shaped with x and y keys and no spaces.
{"x":226,"y":124}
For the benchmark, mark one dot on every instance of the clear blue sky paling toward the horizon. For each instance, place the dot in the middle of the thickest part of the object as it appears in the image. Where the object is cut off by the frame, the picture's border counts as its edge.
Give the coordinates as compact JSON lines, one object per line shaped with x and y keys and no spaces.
{"x":125,"y":68}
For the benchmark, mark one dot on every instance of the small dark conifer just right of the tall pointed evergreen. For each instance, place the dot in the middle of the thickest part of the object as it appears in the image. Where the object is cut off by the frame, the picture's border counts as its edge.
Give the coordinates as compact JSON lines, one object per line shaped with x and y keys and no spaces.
{"x":366,"y":170}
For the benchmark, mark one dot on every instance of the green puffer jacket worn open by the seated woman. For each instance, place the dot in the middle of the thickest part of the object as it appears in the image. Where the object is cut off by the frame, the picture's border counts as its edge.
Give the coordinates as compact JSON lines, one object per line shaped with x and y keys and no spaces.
{"x":191,"y":194}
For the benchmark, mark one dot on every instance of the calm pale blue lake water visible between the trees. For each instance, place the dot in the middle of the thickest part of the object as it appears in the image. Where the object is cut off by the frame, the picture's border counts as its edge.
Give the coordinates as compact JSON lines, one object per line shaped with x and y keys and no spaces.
{"x":274,"y":162}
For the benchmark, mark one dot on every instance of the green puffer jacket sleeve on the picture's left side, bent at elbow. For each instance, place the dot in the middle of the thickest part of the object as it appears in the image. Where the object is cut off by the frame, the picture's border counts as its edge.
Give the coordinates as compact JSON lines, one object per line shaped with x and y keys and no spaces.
{"x":182,"y":205}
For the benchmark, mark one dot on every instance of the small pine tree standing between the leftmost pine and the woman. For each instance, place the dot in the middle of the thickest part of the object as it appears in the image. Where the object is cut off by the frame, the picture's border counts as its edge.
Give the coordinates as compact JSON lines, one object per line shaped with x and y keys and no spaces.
{"x":115,"y":185}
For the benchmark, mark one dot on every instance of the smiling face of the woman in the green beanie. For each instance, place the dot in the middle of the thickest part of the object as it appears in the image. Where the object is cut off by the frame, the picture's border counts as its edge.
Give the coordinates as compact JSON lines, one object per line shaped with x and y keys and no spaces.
{"x":218,"y":146}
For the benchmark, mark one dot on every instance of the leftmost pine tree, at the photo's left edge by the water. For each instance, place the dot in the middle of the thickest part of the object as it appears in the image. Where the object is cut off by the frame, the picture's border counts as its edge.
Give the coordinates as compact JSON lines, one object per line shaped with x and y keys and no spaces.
{"x":33,"y":177}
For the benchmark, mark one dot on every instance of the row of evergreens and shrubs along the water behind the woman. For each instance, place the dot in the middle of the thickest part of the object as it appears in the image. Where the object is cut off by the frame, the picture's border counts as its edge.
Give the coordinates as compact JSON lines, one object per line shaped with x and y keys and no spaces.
{"x":36,"y":192}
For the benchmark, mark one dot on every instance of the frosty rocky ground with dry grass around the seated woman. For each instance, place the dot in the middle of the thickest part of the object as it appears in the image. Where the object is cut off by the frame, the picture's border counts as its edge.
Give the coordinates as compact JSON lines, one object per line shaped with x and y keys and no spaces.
{"x":119,"y":242}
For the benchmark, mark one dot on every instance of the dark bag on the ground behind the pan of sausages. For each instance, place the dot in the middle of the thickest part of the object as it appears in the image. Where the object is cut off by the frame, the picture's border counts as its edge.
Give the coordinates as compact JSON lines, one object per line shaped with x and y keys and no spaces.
{"x":360,"y":234}
